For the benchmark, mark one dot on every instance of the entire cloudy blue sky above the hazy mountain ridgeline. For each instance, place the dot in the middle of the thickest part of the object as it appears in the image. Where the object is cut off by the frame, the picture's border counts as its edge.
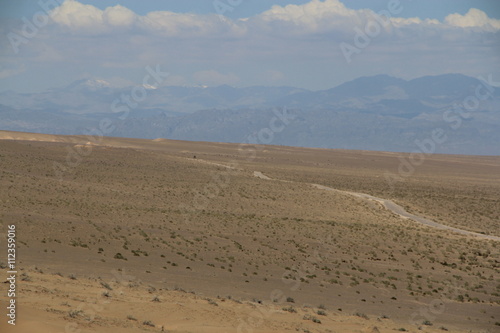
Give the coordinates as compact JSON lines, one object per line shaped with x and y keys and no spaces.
{"x":312,"y":44}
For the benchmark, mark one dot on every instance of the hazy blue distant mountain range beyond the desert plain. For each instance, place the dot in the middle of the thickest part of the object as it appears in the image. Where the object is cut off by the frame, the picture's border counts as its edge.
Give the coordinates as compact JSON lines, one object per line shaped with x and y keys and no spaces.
{"x":373,"y":113}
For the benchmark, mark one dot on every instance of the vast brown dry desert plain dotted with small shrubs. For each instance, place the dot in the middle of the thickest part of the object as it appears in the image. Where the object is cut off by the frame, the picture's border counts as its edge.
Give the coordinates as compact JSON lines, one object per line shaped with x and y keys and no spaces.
{"x":104,"y":229}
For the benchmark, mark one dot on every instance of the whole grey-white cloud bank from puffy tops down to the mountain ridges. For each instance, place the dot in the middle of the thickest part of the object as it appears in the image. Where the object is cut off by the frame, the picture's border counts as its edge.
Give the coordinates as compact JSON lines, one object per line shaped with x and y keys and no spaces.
{"x":288,"y":45}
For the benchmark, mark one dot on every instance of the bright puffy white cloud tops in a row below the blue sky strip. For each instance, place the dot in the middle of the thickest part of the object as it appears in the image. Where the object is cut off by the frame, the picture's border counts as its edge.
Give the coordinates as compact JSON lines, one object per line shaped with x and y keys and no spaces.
{"x":315,"y":16}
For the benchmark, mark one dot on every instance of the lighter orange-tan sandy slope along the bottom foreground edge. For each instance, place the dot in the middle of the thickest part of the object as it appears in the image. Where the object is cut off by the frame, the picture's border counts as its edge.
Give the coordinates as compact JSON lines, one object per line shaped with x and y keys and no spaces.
{"x":52,"y":303}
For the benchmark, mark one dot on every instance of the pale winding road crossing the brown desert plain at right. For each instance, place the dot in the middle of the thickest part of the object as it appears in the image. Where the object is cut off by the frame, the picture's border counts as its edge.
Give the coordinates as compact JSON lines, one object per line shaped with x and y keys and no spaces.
{"x":396,"y":209}
